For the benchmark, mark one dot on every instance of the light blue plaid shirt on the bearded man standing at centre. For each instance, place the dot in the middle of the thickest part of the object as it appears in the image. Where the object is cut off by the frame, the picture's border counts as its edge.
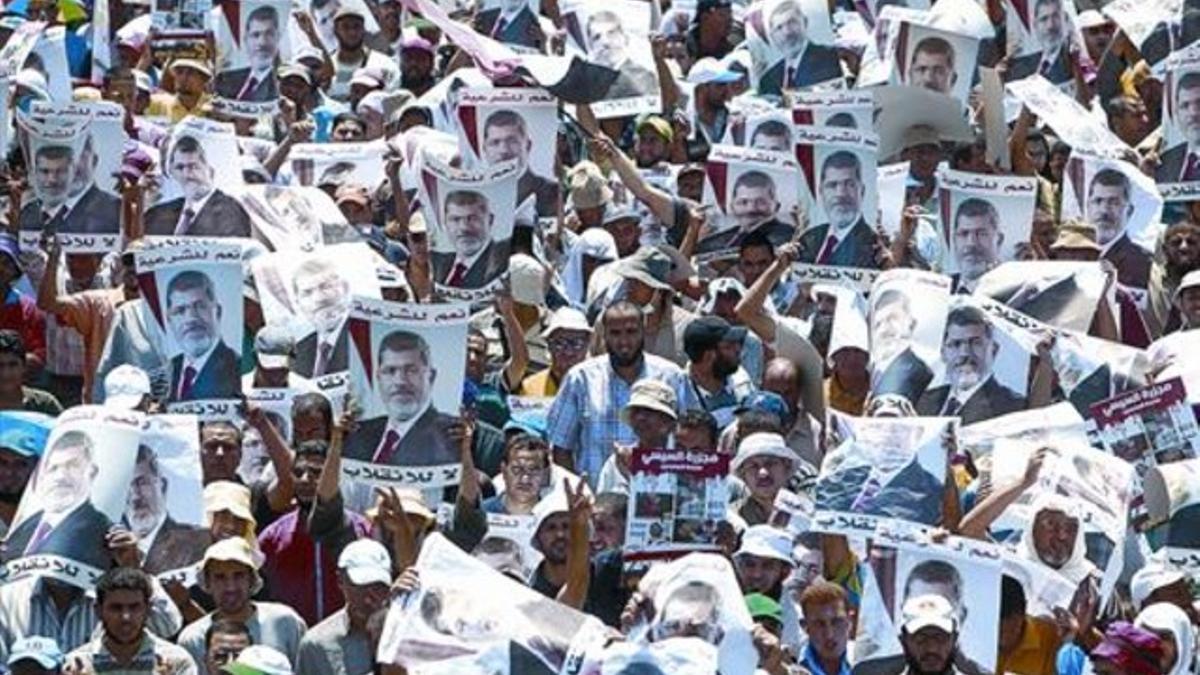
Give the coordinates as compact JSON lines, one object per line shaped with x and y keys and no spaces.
{"x":585,"y":417}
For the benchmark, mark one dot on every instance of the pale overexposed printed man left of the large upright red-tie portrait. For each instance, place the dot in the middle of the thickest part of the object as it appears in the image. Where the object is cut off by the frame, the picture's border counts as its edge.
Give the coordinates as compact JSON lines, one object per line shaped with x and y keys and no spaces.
{"x":323,"y":298}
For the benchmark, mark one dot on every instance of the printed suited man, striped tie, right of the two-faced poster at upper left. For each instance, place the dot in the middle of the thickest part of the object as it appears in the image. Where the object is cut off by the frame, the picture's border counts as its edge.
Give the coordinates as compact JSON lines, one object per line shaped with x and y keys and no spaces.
{"x":205,"y":210}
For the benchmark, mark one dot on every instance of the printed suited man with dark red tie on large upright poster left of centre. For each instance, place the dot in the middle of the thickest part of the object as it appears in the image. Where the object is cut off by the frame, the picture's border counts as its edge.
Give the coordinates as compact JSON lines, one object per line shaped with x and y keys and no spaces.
{"x":412,"y":433}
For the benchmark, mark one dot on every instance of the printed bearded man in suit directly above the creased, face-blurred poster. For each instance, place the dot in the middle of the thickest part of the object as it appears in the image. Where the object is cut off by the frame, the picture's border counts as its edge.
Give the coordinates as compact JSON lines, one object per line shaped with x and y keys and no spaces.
{"x":973,"y":393}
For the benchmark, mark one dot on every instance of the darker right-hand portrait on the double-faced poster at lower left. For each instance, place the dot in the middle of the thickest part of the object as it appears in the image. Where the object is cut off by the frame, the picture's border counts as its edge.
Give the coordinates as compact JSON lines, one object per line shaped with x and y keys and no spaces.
{"x":166,"y":543}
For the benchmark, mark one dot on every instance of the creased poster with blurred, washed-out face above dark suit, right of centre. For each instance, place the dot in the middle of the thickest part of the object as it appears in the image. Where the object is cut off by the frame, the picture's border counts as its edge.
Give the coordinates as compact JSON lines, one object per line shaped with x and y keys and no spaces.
{"x":884,"y":469}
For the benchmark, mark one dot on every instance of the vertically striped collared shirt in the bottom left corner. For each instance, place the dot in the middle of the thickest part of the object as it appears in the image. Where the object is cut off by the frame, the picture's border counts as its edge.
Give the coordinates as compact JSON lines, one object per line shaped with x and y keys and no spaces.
{"x":27,"y":611}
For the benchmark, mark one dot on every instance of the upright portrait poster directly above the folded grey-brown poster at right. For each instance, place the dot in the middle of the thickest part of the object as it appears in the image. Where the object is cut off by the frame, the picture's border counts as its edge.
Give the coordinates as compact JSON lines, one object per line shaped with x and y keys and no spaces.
{"x":985,"y":219}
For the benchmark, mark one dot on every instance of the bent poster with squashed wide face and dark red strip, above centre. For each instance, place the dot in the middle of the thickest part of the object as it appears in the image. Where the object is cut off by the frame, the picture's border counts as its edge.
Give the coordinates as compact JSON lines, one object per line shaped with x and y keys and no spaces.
{"x":754,"y":192}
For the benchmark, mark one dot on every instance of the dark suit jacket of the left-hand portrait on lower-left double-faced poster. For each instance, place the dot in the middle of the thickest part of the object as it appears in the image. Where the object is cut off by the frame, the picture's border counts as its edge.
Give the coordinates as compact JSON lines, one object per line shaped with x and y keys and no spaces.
{"x":79,"y":537}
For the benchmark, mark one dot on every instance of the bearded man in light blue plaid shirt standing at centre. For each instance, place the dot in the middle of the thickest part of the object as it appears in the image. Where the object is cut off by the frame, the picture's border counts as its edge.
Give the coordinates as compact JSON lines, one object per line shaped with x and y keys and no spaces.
{"x":585,"y":419}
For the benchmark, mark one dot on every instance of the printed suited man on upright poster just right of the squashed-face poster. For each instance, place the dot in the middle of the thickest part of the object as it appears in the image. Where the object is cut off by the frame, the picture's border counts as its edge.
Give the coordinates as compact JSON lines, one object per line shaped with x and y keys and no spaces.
{"x":847,"y":241}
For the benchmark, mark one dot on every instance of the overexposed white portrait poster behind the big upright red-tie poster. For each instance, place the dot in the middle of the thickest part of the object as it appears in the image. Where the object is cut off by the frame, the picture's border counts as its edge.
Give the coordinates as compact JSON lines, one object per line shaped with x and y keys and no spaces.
{"x":311,"y":294}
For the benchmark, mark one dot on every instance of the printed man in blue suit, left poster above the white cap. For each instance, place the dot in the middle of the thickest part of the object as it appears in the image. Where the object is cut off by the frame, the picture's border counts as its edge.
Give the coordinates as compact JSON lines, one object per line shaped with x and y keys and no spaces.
{"x":206,"y":367}
